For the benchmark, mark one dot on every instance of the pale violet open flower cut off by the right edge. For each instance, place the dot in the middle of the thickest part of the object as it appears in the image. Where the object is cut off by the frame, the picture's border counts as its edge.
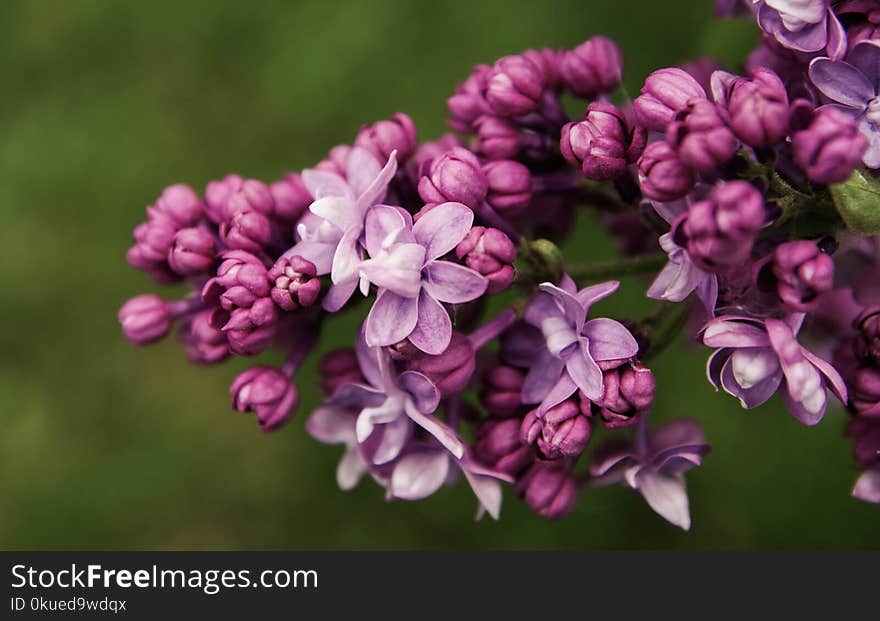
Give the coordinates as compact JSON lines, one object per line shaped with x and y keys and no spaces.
{"x":854,"y":86}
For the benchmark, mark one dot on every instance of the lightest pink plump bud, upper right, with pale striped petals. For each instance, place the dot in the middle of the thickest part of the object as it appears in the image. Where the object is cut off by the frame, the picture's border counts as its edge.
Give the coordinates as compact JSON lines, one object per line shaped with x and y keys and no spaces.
{"x":665,"y":93}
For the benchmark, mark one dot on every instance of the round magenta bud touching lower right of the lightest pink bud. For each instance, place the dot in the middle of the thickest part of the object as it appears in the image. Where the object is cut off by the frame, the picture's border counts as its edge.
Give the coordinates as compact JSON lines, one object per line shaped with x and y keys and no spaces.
{"x":701,"y":137}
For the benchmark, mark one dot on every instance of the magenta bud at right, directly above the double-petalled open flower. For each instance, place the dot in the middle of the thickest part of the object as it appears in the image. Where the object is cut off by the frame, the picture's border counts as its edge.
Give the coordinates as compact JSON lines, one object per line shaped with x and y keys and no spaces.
{"x":798,"y":272}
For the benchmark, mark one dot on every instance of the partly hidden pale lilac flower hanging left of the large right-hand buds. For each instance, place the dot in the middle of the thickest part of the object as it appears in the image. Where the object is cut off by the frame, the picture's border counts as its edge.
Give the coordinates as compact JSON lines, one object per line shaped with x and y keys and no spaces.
{"x":680,"y":276}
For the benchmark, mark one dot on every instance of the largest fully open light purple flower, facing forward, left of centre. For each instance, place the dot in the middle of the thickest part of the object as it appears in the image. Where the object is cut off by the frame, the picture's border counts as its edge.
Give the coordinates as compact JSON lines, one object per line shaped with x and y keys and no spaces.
{"x":413,"y":283}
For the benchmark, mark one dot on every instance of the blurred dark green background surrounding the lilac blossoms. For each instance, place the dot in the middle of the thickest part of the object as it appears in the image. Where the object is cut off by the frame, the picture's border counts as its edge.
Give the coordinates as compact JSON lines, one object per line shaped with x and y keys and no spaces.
{"x":104,"y":445}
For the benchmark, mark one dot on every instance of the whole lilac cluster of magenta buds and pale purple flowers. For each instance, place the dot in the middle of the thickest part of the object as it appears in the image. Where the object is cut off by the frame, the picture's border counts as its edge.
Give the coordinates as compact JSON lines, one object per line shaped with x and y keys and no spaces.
{"x":754,"y":194}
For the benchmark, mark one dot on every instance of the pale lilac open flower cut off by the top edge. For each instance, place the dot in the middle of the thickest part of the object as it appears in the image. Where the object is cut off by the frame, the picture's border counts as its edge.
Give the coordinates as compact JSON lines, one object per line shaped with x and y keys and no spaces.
{"x":803,"y":25}
